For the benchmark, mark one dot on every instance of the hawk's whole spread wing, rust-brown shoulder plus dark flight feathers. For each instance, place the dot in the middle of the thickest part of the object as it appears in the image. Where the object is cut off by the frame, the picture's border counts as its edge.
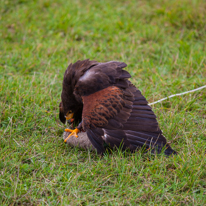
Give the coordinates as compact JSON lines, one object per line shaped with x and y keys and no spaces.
{"x":122,"y":117}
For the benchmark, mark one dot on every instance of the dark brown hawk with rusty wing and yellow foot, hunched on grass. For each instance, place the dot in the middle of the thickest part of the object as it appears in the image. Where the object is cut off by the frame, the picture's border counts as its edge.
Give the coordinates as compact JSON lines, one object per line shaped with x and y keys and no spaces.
{"x":109,"y":107}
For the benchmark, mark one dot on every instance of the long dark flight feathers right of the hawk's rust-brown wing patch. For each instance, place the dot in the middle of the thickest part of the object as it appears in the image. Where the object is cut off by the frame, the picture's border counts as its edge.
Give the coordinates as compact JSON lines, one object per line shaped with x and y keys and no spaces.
{"x":142,"y":128}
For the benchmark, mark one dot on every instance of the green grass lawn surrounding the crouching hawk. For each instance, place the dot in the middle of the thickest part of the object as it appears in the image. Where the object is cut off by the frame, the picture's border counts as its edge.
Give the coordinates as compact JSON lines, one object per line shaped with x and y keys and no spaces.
{"x":163,"y":43}
